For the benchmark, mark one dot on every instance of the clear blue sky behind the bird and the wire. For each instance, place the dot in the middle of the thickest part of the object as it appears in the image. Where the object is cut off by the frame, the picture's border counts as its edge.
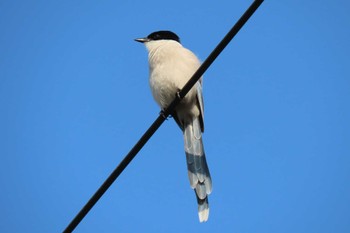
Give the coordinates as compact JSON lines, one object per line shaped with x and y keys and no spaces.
{"x":74,"y":98}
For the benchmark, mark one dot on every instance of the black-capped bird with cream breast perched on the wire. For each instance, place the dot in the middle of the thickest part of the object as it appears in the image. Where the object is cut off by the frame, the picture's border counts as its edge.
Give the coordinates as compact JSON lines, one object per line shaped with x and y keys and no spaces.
{"x":170,"y":67}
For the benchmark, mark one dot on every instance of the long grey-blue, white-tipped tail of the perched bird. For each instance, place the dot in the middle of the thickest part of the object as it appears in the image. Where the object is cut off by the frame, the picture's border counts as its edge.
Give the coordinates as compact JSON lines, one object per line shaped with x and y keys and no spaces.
{"x":198,"y":171}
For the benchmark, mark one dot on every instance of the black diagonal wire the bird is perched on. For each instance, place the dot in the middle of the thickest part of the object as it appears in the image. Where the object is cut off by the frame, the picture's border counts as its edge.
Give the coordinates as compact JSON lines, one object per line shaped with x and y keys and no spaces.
{"x":161,"y":118}
